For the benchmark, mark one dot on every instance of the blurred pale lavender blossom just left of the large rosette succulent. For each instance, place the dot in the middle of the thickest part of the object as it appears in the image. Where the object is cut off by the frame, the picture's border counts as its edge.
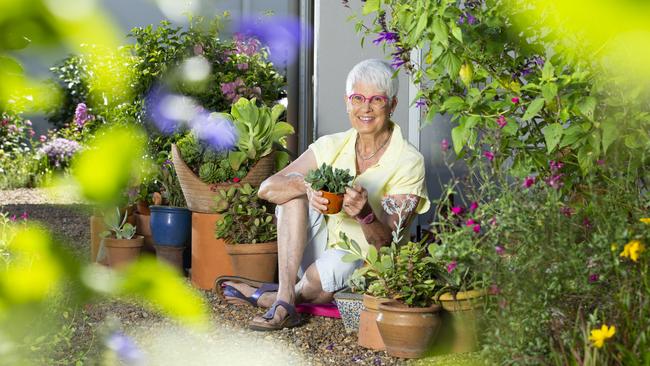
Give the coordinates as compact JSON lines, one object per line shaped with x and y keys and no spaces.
{"x":218,"y":131}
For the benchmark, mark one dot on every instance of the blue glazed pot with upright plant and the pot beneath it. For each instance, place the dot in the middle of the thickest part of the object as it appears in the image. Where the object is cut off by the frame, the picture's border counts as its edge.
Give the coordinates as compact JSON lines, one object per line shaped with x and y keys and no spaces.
{"x":170,"y":219}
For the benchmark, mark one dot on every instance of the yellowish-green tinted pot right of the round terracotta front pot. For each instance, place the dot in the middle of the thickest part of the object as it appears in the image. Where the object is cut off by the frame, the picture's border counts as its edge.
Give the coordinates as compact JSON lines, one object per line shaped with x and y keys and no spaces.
{"x":461,"y":320}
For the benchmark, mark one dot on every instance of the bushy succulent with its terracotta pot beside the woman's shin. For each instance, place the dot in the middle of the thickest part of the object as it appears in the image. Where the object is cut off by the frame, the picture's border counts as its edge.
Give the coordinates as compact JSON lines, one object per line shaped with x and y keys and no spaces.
{"x":249,"y":232}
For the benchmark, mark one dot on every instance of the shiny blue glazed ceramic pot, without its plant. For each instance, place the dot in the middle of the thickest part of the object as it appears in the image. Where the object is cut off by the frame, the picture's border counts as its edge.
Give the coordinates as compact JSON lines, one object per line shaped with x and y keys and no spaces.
{"x":170,"y":225}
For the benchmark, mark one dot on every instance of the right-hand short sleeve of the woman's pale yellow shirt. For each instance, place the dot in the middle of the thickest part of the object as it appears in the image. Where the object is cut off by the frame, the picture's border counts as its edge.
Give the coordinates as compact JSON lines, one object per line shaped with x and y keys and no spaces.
{"x":409,"y":179}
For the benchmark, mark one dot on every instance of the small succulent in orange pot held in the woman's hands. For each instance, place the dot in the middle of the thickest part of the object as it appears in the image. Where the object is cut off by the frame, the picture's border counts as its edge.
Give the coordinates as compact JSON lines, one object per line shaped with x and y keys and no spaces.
{"x":332,"y":182}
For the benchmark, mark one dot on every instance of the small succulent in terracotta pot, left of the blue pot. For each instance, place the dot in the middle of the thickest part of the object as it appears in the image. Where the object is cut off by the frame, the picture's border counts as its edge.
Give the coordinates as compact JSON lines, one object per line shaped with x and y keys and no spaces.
{"x":121,"y":244}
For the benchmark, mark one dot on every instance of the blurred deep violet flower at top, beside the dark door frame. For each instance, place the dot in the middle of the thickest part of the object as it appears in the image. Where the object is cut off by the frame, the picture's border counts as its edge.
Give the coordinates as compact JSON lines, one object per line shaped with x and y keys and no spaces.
{"x":282,"y":35}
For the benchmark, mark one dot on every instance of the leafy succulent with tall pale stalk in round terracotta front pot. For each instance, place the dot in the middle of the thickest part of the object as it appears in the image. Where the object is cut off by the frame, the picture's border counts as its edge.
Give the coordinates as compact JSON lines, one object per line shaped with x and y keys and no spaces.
{"x":405,"y":277}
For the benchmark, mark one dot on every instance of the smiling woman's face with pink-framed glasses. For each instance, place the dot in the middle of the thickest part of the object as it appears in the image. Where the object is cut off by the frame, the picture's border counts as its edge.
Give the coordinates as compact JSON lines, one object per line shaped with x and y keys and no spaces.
{"x":367,"y":117}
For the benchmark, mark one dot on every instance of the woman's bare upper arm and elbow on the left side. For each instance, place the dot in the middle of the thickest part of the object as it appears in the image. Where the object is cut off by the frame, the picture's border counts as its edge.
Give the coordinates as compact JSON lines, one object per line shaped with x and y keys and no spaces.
{"x":289,"y":183}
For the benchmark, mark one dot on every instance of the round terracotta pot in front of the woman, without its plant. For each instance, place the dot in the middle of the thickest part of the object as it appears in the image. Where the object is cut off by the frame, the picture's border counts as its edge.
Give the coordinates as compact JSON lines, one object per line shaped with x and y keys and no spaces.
{"x":408,"y":331}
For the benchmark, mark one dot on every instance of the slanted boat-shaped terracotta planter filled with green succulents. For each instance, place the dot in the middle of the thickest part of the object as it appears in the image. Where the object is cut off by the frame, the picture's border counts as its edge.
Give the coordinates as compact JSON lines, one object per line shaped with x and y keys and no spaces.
{"x":203,"y":170}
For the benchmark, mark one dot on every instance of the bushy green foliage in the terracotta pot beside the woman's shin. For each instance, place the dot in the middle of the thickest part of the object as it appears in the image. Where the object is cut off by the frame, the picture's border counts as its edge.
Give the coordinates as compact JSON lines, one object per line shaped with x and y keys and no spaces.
{"x":245,"y":219}
